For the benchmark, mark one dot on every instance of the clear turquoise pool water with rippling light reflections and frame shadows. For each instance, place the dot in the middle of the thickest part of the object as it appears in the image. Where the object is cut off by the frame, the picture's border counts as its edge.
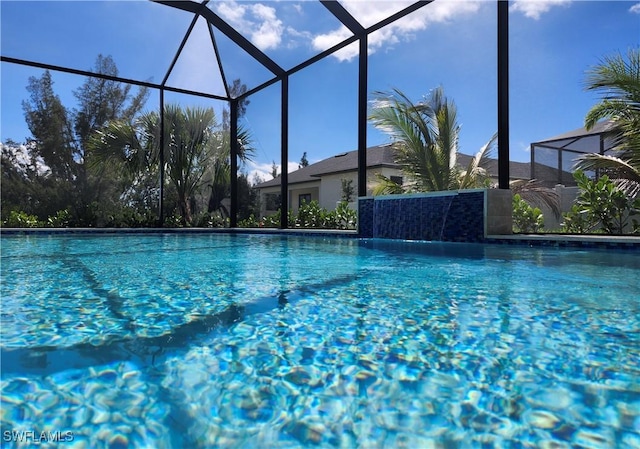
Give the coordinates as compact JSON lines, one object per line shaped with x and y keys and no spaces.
{"x":270,"y":341}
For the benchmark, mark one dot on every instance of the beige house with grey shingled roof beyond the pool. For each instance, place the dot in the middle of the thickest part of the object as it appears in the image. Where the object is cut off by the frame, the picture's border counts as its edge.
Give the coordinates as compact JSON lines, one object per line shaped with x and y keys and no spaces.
{"x":323,"y":180}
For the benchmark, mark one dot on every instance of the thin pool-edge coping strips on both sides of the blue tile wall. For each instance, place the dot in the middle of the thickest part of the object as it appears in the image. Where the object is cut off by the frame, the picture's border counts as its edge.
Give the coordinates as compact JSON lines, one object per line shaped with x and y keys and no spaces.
{"x":548,"y":240}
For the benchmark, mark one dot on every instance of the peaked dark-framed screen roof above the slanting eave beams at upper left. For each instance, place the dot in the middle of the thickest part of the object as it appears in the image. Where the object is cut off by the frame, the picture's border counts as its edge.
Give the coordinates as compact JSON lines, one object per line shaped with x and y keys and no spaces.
{"x":225,"y":40}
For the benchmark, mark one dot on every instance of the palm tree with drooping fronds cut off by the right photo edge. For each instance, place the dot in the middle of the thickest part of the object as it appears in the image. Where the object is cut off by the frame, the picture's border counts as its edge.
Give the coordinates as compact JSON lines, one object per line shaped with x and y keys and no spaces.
{"x":619,"y":82}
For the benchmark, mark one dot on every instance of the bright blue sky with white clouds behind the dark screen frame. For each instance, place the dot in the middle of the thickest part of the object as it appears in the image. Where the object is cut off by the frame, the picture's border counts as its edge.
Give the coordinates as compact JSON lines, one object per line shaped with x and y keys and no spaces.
{"x":448,"y":43}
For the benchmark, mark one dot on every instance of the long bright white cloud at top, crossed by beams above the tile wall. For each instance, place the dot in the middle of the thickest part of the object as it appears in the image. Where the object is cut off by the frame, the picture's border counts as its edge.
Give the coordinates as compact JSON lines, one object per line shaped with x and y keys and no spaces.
{"x":369,"y":13}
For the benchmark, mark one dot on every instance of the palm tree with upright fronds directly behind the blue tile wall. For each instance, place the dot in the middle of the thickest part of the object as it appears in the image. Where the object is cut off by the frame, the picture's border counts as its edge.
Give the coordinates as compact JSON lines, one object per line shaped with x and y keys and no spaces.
{"x":425,"y":138}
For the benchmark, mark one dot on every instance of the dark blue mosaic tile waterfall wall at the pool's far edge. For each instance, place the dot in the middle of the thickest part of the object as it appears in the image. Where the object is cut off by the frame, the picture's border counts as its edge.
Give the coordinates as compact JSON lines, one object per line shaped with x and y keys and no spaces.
{"x":452,"y":218}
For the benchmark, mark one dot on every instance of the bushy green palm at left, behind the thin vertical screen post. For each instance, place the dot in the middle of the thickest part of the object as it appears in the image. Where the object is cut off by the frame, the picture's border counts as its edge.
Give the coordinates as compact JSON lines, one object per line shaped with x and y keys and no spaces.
{"x":191,"y":143}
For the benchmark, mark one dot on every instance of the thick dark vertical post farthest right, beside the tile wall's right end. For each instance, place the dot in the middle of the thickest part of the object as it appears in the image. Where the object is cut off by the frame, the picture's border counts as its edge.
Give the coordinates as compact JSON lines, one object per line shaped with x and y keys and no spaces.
{"x":503,"y":94}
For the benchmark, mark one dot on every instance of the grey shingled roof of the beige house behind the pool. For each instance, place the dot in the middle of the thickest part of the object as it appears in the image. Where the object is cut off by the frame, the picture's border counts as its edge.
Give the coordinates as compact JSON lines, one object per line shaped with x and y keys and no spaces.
{"x":379,"y":156}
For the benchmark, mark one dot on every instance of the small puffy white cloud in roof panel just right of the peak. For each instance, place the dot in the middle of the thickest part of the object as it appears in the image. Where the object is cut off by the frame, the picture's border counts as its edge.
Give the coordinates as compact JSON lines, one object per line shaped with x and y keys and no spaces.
{"x":256,"y":20}
